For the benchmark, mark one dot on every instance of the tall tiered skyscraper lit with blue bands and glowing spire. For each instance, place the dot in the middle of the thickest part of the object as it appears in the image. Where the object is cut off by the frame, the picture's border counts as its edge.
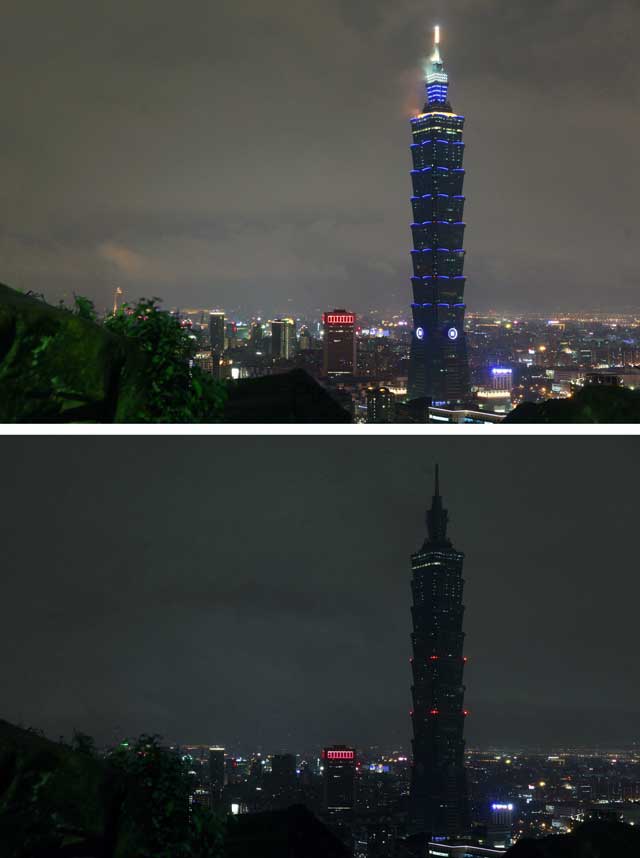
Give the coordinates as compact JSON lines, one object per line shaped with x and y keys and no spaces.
{"x":438,"y":368}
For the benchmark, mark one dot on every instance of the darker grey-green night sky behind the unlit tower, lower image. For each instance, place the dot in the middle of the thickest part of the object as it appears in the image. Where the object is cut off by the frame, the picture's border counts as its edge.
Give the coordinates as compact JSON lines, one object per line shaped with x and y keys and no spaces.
{"x":255,"y":591}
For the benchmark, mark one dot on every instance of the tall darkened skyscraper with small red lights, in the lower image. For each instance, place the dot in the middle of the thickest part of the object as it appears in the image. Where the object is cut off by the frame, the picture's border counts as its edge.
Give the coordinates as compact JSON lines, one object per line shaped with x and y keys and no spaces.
{"x":438,"y":796}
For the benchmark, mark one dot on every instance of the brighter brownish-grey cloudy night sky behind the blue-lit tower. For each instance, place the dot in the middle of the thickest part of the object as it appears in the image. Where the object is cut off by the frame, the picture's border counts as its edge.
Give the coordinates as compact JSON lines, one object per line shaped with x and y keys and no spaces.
{"x":254,"y":154}
